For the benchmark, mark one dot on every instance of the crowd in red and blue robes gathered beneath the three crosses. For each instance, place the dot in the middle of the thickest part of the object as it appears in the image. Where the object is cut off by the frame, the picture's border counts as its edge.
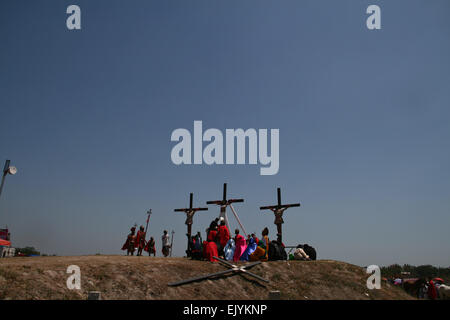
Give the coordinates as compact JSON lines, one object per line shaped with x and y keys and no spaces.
{"x":219,"y":243}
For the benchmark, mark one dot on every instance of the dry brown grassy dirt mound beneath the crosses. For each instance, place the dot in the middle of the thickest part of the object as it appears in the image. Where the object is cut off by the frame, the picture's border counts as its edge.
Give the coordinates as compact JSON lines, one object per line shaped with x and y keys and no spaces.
{"x":121,"y":277}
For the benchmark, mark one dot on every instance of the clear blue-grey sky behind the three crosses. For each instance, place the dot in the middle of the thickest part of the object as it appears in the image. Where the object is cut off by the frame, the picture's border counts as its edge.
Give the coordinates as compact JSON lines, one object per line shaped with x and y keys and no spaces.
{"x":363,"y":117}
